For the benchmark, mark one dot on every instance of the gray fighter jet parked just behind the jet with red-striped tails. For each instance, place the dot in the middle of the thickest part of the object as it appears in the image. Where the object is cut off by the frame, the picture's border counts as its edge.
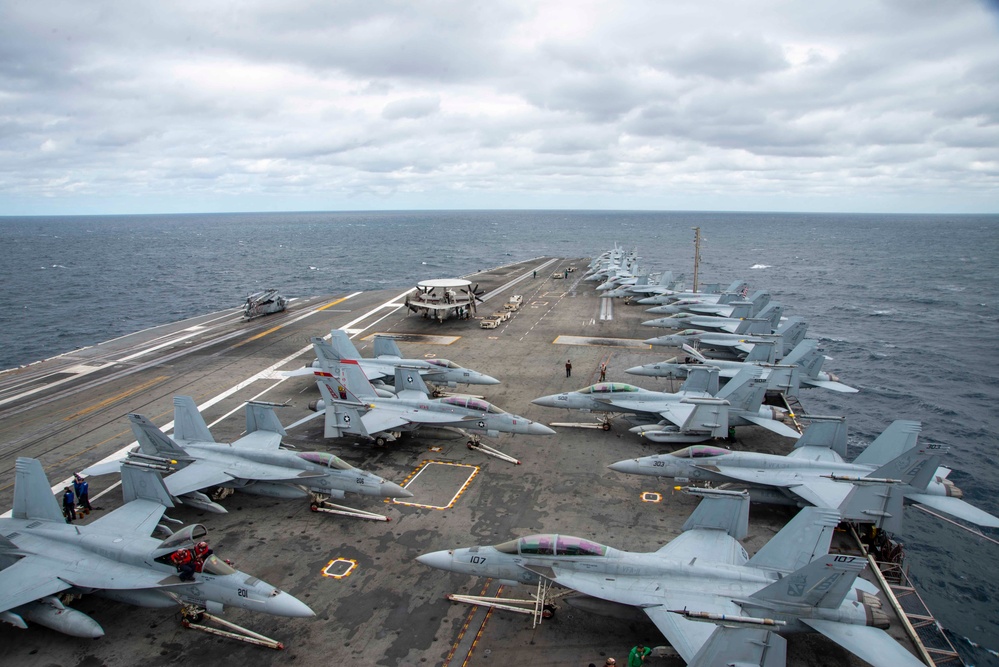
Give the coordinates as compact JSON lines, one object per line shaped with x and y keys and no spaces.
{"x":388,"y":357}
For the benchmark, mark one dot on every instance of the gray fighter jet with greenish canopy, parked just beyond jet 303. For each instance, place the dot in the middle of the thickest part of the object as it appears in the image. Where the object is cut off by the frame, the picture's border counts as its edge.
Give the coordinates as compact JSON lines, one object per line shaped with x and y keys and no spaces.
{"x":743,"y":396}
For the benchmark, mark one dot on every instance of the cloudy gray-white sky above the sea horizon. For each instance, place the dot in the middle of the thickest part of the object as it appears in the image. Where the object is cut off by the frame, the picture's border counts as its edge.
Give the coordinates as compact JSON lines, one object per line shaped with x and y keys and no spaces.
{"x":183,"y":106}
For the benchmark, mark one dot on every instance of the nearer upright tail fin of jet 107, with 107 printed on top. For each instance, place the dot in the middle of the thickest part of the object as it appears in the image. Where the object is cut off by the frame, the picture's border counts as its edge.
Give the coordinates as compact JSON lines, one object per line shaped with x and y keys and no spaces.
{"x":824,"y":583}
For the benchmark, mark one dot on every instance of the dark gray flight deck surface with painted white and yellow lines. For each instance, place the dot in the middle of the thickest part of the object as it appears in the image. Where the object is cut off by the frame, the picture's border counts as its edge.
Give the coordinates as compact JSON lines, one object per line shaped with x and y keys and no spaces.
{"x":70,"y":412}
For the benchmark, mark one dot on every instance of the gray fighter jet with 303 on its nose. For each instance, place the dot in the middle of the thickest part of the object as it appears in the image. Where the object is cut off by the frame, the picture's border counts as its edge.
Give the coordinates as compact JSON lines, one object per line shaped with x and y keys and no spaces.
{"x":814,"y":473}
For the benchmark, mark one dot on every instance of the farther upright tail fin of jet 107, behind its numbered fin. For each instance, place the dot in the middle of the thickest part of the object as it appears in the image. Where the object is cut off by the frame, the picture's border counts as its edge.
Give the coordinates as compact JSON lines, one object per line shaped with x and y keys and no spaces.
{"x":805,"y":537}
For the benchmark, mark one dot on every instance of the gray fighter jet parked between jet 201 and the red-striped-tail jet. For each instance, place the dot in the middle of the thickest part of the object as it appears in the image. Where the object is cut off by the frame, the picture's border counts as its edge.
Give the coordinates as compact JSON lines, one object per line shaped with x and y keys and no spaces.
{"x":254,"y":464}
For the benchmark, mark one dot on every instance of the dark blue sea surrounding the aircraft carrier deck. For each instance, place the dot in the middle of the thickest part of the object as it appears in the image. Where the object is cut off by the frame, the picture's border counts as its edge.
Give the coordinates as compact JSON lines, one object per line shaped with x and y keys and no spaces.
{"x":906,"y":306}
